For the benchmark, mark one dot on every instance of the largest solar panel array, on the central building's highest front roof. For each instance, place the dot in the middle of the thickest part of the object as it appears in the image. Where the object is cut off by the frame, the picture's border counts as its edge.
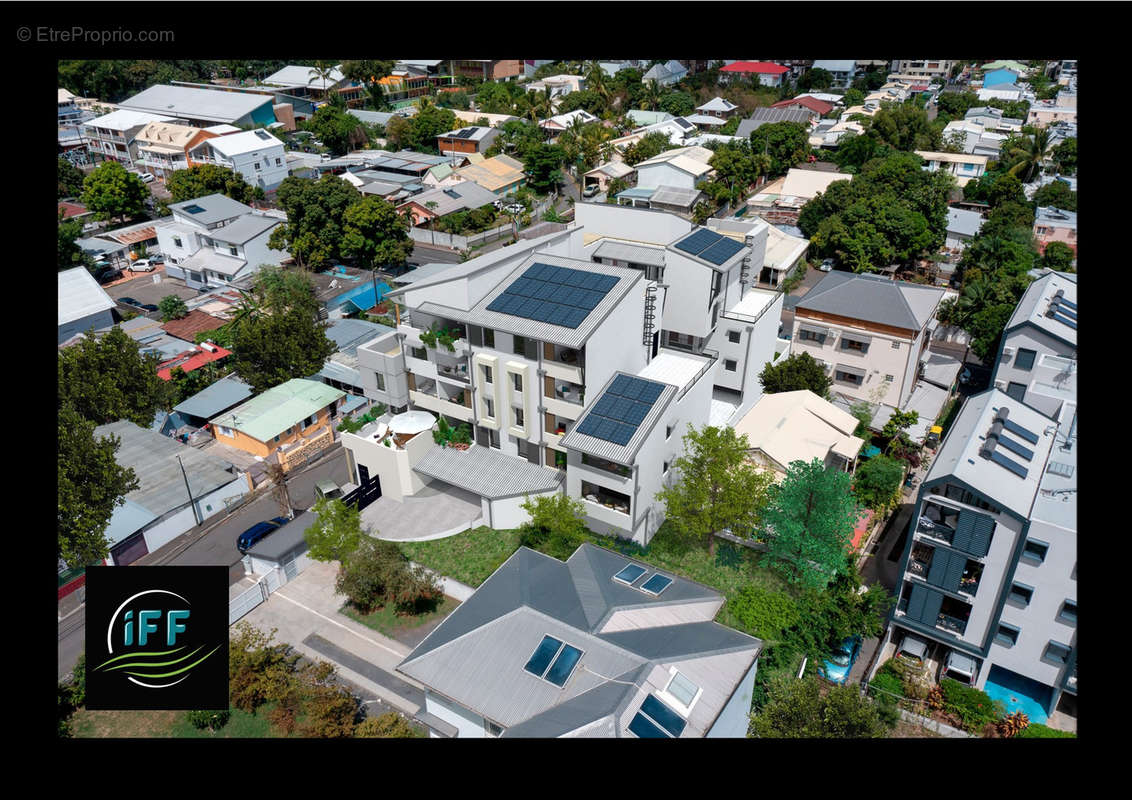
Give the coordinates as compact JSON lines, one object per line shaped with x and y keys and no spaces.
{"x":558,"y":296}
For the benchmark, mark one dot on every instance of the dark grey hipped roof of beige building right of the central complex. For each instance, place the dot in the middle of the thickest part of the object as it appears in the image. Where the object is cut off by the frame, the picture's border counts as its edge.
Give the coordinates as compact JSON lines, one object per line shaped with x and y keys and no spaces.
{"x":873,"y":299}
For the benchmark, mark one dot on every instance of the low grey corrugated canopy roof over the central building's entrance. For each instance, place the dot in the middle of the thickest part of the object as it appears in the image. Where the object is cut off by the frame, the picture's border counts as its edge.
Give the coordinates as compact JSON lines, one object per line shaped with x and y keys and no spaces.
{"x":488,"y":472}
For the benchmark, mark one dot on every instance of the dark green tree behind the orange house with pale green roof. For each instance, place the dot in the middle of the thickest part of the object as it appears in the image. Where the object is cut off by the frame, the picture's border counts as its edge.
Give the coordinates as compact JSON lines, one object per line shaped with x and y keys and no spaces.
{"x":272,"y":350}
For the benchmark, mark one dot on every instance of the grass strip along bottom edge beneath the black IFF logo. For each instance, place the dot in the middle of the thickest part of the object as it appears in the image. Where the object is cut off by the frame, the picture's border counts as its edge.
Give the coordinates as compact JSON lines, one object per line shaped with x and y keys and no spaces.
{"x":166,"y":725}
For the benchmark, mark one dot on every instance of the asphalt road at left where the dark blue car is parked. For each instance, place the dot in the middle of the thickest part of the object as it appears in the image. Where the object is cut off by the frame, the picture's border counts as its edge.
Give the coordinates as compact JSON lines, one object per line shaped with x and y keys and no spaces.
{"x":212,"y":545}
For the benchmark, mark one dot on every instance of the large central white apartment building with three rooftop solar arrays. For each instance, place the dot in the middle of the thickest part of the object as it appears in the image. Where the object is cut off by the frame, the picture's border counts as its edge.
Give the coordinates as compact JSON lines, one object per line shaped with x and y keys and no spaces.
{"x":586,"y":352}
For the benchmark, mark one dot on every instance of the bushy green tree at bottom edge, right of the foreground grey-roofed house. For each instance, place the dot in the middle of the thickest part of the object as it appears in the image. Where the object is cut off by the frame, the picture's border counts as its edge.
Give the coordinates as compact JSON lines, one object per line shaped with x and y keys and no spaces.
{"x":801,"y":710}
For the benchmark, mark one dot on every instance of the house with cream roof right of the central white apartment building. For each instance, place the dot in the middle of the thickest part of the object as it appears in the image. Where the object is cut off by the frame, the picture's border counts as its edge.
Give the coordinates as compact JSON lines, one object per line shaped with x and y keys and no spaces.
{"x":800,"y":426}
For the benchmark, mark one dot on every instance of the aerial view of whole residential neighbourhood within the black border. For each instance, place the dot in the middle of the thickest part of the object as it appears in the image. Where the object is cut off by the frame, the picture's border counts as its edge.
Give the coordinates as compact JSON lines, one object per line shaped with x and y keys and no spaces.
{"x":593,"y":399}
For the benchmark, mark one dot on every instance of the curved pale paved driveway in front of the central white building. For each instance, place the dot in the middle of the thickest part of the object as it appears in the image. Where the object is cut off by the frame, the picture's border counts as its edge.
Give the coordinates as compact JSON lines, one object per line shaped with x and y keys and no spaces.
{"x":438,"y":511}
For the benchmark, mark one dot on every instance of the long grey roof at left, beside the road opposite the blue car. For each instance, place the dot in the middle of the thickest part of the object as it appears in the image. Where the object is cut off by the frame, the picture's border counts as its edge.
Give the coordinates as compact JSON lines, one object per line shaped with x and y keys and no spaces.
{"x":153,"y":458}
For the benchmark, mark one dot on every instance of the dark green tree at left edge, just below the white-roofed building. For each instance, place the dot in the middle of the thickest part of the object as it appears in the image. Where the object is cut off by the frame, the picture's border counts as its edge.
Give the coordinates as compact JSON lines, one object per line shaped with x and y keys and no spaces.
{"x":106,"y":380}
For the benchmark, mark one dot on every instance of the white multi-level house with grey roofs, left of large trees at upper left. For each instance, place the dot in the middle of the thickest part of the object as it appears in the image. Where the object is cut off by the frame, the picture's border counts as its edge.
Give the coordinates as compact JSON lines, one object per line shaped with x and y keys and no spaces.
{"x":215,"y":240}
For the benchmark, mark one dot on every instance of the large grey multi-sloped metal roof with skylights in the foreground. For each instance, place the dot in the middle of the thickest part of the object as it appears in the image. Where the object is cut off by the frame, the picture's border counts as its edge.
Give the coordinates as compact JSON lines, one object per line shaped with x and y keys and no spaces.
{"x":476,"y":657}
